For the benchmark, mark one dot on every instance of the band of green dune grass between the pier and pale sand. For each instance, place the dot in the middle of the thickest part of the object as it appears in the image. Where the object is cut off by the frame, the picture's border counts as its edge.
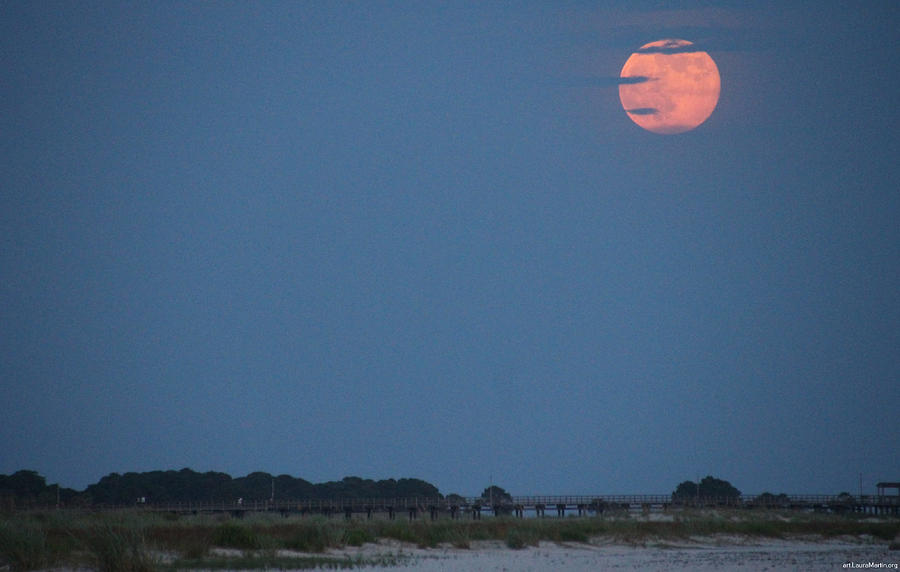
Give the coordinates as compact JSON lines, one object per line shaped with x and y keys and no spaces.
{"x":139,"y":541}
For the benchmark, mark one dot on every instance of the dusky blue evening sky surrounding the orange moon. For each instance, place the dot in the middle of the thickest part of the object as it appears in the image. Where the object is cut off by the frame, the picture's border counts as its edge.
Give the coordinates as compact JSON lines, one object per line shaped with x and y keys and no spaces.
{"x":424,"y":240}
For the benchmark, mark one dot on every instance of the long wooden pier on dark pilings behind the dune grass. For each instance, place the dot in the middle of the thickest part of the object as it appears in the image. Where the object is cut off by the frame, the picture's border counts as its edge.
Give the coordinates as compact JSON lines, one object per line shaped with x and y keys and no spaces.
{"x":539,"y":506}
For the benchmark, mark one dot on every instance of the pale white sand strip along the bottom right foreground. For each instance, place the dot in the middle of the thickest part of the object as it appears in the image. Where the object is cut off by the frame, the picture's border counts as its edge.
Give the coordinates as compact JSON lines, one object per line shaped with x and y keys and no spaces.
{"x":728,"y":554}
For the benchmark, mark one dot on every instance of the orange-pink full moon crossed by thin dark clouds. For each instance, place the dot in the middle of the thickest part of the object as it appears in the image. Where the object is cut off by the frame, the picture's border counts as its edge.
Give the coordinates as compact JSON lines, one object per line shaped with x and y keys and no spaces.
{"x":669,"y":87}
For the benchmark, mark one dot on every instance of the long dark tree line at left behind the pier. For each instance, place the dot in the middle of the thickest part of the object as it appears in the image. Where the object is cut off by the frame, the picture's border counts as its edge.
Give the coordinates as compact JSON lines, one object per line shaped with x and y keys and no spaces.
{"x":26,"y":487}
